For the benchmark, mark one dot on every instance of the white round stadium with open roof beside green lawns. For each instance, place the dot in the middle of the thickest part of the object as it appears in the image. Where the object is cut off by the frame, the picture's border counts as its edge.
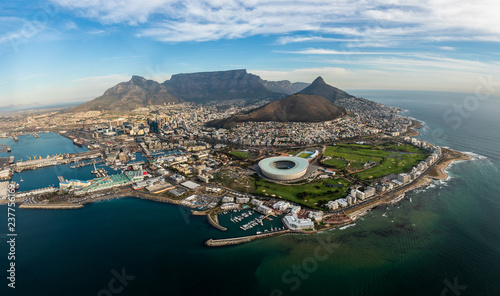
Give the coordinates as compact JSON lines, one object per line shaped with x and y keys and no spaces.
{"x":284,"y":168}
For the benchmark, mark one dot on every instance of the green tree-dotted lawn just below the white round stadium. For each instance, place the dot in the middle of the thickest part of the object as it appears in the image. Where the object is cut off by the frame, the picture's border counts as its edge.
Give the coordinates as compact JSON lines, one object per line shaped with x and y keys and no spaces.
{"x":310,"y":194}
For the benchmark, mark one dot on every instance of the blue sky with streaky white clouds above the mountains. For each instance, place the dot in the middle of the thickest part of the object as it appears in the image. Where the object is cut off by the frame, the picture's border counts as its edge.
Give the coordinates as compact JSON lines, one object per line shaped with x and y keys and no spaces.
{"x":55,"y":51}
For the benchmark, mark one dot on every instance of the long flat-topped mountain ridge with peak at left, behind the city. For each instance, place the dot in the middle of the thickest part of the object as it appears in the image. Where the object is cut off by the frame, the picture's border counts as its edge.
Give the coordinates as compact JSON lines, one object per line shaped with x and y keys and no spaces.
{"x":190,"y":87}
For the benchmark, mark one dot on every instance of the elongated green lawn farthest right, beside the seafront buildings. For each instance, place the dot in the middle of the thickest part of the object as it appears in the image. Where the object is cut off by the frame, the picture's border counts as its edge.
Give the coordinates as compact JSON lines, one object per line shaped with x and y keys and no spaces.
{"x":392,"y":165}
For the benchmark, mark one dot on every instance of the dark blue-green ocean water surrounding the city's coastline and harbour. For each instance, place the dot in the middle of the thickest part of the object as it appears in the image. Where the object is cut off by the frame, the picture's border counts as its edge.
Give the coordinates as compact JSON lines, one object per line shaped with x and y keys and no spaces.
{"x":440,"y":240}
